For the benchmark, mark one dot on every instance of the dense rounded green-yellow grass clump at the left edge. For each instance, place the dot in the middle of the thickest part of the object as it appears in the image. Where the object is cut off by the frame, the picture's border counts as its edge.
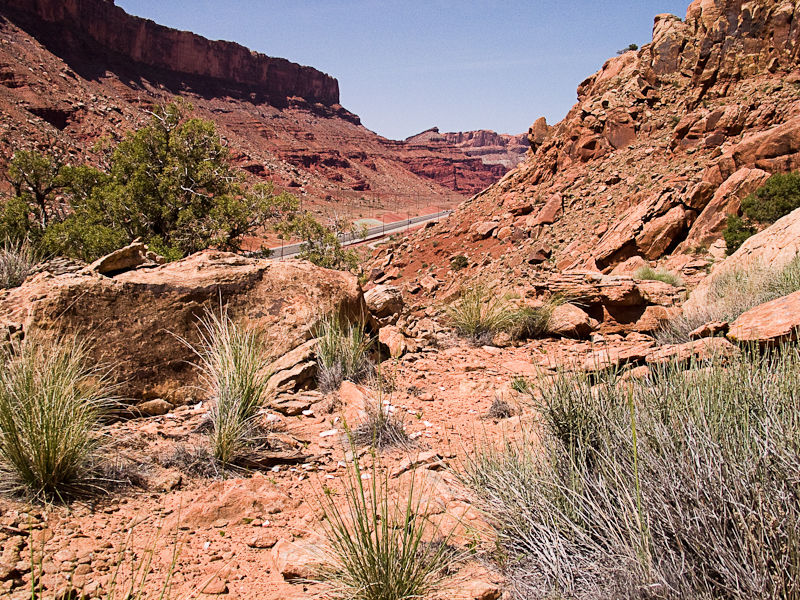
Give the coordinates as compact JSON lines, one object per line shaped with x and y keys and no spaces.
{"x":51,"y":402}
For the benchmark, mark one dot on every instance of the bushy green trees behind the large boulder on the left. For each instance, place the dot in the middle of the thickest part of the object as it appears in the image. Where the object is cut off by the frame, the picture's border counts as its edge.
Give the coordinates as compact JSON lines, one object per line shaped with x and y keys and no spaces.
{"x":169,"y":184}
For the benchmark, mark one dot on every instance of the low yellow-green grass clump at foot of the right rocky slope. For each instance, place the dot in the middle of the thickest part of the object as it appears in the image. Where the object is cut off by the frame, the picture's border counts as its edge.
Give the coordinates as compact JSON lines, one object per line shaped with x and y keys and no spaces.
{"x":481,"y":313}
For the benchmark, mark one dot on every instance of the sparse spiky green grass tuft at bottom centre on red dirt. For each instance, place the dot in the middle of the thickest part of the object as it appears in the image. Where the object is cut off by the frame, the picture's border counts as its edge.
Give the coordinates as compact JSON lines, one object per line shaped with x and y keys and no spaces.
{"x":382,"y":548}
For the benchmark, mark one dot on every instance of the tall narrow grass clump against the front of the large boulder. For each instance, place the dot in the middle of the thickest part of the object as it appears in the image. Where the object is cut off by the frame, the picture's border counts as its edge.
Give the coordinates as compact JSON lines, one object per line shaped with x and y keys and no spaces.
{"x":235,"y":367}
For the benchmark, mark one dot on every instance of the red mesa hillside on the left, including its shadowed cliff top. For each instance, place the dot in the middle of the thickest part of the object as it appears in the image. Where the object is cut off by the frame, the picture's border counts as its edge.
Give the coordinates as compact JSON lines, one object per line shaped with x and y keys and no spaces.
{"x":73,"y":73}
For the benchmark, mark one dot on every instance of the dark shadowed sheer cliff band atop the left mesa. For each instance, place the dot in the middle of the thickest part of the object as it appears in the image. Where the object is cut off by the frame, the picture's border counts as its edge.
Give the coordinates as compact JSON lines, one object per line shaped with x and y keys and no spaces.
{"x":180,"y":51}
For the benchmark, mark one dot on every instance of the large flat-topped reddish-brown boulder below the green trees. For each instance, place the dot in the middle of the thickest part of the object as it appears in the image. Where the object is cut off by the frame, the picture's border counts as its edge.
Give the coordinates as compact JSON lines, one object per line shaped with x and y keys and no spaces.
{"x":140,"y":322}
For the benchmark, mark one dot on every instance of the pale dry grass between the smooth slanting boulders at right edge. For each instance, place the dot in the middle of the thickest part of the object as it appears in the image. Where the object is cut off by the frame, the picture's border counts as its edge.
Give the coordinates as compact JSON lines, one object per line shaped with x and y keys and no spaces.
{"x":733,"y":293}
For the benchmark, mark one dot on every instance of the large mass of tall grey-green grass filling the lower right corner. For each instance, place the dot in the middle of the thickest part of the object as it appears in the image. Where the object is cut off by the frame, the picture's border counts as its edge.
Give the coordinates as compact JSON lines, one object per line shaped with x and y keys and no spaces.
{"x":686,"y":485}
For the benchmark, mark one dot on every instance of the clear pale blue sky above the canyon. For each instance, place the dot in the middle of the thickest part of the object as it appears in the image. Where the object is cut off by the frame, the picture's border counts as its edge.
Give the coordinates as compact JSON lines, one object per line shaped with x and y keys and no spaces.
{"x":407,"y":65}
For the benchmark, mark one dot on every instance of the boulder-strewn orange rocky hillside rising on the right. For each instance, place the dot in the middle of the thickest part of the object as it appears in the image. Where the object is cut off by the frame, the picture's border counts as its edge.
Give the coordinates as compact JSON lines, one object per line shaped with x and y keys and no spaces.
{"x":662,"y":145}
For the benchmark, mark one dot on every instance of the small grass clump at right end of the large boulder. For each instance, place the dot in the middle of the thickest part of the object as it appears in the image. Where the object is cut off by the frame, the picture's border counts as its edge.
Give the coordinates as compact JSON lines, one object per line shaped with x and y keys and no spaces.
{"x":342,"y":353}
